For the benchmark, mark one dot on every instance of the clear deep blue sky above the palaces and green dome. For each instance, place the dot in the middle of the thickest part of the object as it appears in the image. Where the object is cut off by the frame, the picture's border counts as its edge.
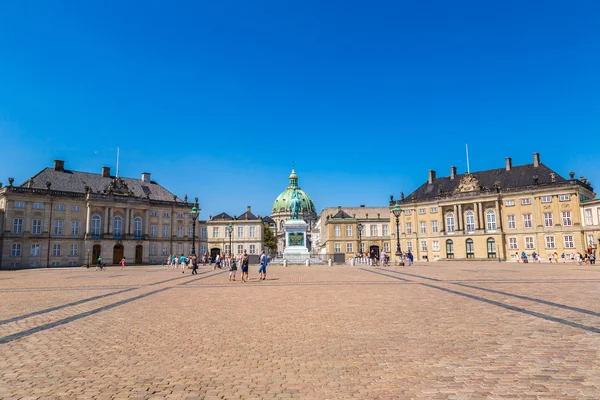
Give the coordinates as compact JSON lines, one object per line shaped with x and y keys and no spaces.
{"x":217,"y":98}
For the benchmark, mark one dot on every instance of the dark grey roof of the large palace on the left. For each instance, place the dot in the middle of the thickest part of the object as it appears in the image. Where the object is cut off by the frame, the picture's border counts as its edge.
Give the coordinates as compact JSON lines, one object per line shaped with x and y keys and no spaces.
{"x":74,"y":181}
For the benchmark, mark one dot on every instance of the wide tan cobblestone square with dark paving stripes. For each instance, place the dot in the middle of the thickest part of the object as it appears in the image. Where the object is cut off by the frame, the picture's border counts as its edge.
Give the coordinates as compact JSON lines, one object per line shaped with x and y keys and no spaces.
{"x":445,"y":330}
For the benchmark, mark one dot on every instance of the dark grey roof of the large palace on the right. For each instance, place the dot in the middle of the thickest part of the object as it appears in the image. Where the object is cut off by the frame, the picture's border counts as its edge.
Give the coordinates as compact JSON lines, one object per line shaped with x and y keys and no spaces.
{"x":518,"y":176}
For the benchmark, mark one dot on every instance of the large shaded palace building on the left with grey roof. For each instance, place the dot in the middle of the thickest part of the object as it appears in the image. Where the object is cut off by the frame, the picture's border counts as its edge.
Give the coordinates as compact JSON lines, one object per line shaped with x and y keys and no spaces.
{"x":61,"y":217}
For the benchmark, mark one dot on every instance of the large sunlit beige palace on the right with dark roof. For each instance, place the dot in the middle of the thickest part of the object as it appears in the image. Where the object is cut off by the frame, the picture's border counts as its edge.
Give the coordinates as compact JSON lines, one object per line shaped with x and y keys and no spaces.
{"x":499,"y":213}
